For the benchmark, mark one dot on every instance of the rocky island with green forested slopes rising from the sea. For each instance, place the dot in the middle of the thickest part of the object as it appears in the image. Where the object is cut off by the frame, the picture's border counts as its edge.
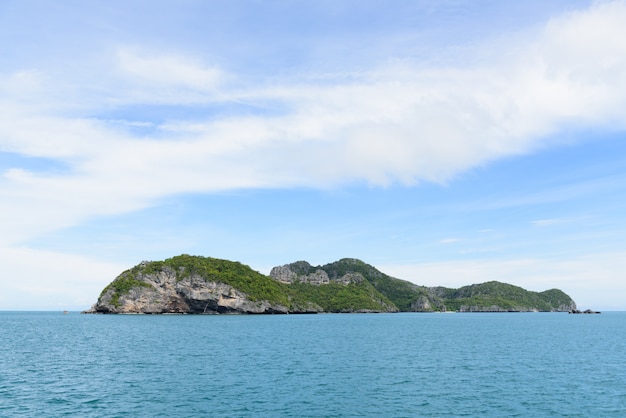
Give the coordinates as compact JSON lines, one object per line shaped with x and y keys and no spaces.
{"x":194,"y":284}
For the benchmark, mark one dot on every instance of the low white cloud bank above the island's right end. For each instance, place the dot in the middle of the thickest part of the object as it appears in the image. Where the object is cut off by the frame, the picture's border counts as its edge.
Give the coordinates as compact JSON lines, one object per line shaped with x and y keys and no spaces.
{"x":593,"y":281}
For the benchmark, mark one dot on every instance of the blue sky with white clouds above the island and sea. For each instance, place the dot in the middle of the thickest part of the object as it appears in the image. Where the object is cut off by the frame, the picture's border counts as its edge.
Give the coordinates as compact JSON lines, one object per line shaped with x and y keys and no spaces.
{"x":445,"y":142}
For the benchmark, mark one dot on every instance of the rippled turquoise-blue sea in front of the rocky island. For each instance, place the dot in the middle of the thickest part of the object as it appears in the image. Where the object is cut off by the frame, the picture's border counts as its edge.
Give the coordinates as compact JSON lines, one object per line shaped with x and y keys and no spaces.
{"x":330,"y":365}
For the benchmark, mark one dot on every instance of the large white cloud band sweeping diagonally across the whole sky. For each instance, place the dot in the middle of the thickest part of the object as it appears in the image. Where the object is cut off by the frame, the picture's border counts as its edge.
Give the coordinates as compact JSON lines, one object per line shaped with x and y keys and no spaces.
{"x":398,"y":123}
